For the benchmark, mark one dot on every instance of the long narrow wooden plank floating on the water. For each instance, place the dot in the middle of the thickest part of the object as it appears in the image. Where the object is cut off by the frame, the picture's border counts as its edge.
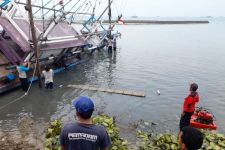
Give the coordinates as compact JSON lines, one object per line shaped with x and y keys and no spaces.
{"x":115,"y":91}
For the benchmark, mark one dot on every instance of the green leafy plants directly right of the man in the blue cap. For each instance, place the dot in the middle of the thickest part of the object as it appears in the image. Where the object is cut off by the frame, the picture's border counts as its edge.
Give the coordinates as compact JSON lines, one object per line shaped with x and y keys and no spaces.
{"x":117,"y":143}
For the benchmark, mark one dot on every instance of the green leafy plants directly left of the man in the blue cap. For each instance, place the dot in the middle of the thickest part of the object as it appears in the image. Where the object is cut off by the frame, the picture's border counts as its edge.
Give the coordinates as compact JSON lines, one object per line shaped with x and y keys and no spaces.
{"x":52,"y":136}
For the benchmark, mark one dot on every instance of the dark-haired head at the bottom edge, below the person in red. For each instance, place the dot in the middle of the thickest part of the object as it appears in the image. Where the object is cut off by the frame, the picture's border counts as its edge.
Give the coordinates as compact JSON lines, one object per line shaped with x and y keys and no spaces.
{"x":190,"y":138}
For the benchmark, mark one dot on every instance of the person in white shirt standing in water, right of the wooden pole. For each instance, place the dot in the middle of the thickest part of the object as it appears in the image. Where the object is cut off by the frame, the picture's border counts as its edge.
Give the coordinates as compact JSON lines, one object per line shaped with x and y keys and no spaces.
{"x":48,"y":75}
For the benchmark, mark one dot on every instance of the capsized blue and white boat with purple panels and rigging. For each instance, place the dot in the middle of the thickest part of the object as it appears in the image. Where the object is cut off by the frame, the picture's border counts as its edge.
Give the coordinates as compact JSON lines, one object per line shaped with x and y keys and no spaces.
{"x":60,"y":43}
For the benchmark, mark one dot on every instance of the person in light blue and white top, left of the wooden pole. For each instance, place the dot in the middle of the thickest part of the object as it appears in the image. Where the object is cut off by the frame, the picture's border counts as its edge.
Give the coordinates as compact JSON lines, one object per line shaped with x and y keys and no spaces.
{"x":22,"y":69}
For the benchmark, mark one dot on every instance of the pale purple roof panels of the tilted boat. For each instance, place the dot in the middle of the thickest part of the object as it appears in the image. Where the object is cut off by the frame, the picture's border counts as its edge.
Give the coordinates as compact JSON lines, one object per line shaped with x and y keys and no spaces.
{"x":62,"y":29}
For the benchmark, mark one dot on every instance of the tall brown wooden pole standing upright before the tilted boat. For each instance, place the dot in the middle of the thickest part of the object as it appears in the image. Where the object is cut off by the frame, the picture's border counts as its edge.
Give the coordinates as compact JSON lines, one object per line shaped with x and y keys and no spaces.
{"x":34,"y":41}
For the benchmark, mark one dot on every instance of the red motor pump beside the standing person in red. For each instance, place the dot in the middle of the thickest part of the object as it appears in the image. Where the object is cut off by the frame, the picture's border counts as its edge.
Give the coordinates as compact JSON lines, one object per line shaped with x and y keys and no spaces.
{"x":203,"y":118}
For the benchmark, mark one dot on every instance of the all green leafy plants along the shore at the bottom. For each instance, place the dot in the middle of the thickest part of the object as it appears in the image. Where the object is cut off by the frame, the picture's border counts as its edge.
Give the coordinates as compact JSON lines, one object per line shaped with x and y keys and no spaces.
{"x":145,"y":141}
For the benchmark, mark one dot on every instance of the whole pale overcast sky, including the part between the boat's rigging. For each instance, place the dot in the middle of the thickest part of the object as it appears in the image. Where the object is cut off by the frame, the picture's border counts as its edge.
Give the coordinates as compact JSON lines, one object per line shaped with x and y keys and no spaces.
{"x":154,"y":8}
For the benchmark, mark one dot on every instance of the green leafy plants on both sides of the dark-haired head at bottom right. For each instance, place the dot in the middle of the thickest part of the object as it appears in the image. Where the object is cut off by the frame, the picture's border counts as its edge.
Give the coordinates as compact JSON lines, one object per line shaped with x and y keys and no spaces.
{"x":168,"y":141}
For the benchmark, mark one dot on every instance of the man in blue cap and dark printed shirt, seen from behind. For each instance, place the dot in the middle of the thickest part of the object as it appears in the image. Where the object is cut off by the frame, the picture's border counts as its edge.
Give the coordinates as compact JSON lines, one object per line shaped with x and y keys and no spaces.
{"x":83,"y":135}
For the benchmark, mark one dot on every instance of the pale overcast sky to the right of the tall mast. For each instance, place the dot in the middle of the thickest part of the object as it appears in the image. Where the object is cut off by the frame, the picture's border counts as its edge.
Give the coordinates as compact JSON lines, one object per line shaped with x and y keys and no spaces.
{"x":178,"y":8}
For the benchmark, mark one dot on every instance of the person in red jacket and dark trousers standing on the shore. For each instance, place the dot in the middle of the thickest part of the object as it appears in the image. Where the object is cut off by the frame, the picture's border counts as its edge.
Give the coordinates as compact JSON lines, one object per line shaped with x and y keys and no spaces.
{"x":189,"y":106}
